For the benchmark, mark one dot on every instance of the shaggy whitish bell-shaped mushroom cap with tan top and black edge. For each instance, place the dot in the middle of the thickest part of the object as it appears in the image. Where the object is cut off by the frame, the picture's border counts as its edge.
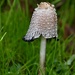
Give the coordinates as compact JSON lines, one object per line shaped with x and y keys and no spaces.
{"x":43,"y":22}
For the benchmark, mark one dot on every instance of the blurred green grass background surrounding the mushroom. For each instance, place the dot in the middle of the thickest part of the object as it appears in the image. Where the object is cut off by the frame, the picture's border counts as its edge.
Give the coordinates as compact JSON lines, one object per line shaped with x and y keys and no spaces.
{"x":22,"y":58}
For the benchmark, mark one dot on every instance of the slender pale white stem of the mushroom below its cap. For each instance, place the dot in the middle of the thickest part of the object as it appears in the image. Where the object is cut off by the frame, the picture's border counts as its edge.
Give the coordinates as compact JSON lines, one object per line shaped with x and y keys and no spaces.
{"x":42,"y":55}
